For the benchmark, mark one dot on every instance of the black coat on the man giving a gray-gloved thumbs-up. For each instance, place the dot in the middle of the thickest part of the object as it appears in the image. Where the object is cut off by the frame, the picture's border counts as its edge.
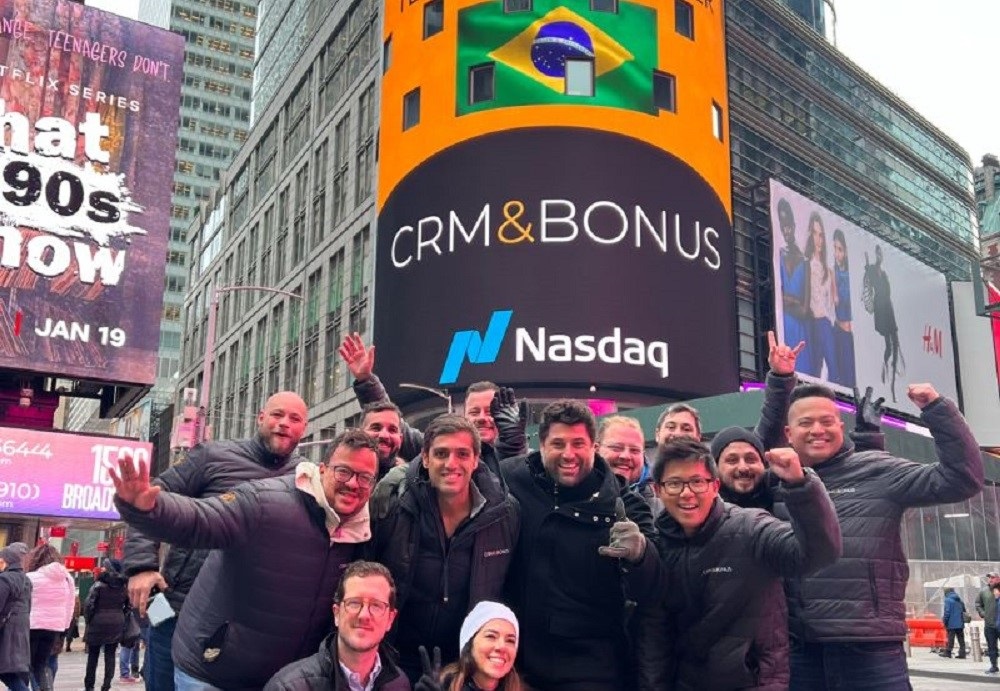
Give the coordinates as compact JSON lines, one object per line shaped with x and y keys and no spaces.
{"x":570,"y":600}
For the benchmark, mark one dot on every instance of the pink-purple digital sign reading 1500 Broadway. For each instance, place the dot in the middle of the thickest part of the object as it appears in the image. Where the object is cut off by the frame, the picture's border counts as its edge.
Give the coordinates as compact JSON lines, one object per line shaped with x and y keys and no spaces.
{"x":61,"y":474}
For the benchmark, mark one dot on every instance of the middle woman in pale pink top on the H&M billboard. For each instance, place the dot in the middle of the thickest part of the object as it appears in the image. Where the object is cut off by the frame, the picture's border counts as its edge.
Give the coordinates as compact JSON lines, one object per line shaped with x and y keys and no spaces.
{"x":821,"y":301}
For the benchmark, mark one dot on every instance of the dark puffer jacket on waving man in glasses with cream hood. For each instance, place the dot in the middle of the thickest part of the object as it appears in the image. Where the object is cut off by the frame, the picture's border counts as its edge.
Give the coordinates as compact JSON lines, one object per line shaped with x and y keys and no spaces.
{"x":265,"y":595}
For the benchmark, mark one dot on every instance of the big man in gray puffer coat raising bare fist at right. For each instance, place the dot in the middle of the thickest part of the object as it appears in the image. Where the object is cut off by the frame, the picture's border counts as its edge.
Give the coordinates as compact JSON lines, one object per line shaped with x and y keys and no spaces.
{"x":847,"y":621}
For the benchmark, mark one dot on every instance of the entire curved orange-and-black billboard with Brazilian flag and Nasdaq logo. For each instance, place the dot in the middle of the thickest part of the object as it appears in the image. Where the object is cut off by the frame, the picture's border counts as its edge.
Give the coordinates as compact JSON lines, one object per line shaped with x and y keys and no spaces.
{"x":556,"y":210}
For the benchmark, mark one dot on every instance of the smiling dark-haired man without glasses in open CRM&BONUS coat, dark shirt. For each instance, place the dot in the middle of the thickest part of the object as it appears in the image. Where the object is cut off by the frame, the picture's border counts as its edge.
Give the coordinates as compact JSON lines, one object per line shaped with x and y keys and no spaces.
{"x":447,"y":535}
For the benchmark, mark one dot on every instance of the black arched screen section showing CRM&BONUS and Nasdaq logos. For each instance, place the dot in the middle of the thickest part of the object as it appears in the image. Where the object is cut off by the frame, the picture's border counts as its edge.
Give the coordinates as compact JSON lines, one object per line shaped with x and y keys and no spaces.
{"x":556,"y":257}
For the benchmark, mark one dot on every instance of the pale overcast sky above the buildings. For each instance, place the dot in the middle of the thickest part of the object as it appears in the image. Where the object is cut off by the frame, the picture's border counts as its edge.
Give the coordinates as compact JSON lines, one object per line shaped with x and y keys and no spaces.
{"x":940,"y":58}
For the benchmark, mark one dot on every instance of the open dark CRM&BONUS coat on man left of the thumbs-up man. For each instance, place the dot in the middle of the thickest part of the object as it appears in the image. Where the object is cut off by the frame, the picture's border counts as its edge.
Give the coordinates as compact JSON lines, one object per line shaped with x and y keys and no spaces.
{"x":409,"y":518}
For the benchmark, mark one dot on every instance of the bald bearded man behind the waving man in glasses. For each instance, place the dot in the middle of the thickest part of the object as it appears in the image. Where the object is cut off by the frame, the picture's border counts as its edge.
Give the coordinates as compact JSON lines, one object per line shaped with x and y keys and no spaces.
{"x":210,"y":469}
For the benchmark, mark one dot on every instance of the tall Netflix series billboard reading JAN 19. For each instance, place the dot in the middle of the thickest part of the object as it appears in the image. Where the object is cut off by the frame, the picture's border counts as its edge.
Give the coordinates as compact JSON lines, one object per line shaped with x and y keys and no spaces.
{"x":89,"y":103}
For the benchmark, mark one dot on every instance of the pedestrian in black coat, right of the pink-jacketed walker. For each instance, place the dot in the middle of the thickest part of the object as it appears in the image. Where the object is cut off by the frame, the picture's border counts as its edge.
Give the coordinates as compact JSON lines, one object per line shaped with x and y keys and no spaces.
{"x":104,"y":616}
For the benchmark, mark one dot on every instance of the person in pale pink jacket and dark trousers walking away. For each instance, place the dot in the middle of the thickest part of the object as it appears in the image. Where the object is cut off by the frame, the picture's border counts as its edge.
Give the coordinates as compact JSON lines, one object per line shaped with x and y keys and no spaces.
{"x":52,"y":598}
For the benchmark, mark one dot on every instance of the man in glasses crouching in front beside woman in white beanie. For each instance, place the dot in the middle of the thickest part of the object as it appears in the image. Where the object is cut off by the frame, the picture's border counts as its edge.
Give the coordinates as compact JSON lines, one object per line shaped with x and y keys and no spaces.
{"x":352,"y":657}
